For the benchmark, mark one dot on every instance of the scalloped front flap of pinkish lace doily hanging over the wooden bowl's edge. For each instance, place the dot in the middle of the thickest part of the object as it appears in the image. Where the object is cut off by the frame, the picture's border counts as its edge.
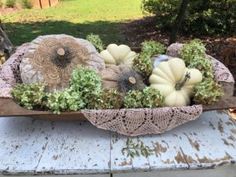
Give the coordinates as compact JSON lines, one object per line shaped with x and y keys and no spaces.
{"x":134,"y":122}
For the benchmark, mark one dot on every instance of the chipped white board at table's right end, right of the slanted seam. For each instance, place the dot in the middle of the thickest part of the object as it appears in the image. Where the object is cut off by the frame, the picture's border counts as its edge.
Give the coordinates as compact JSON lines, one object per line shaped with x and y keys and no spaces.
{"x":210,"y":141}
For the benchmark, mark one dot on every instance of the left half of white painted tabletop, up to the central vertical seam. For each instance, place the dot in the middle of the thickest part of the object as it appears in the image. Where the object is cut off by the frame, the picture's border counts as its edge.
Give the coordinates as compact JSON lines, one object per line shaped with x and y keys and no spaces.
{"x":37,"y":146}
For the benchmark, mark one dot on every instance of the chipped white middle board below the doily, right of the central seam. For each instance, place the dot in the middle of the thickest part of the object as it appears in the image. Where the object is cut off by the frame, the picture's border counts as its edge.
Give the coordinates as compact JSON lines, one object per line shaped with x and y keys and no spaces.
{"x":162,"y":154}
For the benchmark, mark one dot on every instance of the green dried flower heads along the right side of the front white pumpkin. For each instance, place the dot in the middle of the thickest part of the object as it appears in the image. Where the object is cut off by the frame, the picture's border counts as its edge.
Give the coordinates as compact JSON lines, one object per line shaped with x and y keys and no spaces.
{"x":208,"y":91}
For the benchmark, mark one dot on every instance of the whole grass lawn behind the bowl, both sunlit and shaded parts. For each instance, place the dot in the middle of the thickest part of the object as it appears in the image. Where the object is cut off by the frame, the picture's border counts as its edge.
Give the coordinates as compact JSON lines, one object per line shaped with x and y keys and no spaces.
{"x":74,"y":17}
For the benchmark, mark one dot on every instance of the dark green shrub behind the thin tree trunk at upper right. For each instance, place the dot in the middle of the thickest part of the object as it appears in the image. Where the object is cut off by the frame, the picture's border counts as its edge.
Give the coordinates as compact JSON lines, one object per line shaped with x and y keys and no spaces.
{"x":202,"y":16}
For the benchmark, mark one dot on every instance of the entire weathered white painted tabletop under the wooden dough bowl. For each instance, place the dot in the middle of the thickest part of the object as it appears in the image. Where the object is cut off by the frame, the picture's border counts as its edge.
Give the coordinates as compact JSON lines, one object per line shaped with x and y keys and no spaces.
{"x":205,"y":147}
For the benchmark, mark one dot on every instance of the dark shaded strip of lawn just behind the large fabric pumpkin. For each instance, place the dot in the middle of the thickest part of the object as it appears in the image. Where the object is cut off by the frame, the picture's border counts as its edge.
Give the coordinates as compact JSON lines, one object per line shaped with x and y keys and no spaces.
{"x":24,"y":32}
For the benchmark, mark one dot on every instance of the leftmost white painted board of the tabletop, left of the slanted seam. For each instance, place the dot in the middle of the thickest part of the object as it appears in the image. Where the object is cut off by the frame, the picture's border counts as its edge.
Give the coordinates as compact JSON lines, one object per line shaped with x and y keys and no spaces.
{"x":22,"y":141}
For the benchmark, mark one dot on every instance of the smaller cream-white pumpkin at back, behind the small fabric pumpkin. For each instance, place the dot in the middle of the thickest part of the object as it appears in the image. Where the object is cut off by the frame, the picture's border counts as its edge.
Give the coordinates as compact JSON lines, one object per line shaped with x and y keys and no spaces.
{"x":117,"y":55}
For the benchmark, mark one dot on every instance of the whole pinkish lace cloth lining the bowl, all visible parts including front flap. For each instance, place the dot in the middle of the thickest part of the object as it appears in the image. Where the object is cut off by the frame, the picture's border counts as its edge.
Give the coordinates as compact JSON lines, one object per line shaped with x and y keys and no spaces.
{"x":131,"y":122}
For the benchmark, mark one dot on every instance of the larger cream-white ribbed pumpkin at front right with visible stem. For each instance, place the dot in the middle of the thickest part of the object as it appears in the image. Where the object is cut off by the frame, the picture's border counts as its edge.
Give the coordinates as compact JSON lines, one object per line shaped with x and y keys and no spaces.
{"x":175,"y":81}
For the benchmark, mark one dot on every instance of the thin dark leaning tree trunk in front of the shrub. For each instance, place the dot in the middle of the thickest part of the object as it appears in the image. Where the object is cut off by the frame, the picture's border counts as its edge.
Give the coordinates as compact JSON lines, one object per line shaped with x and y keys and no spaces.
{"x":178,"y":21}
